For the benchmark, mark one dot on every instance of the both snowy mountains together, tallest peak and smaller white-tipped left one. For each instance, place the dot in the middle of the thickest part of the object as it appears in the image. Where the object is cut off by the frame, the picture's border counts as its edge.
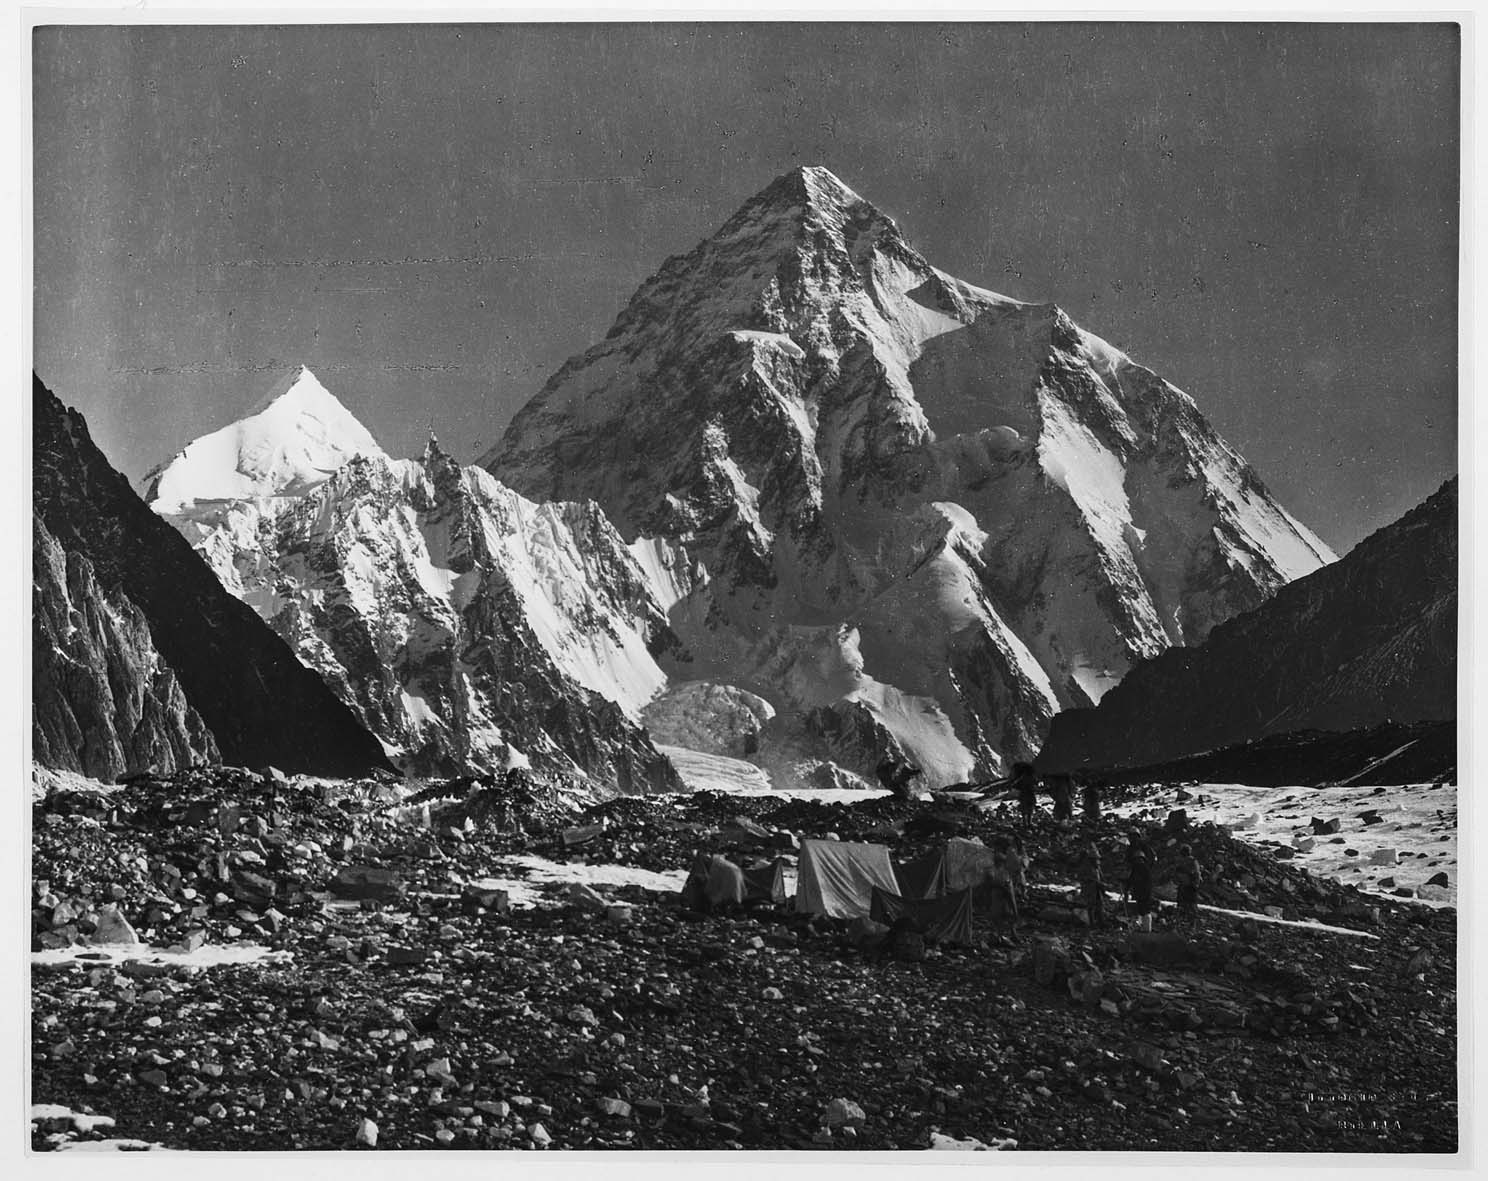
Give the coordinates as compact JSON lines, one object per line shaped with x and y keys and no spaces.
{"x":812,"y":503}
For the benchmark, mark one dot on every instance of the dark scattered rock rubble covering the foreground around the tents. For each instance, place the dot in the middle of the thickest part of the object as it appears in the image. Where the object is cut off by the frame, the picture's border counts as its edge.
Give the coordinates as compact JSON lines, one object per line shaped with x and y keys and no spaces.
{"x":417,"y":1009}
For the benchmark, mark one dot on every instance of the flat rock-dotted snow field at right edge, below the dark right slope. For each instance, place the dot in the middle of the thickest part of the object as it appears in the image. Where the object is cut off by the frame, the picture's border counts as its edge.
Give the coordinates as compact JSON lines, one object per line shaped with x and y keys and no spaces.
{"x":1414,"y":841}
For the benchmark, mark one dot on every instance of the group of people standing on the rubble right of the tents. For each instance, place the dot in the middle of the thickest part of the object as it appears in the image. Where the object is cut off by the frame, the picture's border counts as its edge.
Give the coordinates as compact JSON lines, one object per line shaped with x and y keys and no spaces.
{"x":1139,"y":878}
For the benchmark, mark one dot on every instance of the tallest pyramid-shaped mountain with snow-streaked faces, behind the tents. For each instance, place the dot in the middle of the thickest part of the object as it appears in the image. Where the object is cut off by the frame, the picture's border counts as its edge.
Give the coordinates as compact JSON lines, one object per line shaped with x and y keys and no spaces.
{"x":902,"y":496}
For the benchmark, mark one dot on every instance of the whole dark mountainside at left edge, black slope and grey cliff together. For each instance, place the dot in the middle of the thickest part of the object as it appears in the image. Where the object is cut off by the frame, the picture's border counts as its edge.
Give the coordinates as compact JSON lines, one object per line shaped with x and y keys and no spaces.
{"x":139,"y":655}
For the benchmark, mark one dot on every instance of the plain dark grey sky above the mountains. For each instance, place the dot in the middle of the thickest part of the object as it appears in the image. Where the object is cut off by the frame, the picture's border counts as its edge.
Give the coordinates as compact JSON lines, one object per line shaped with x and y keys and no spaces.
{"x":435,"y":218}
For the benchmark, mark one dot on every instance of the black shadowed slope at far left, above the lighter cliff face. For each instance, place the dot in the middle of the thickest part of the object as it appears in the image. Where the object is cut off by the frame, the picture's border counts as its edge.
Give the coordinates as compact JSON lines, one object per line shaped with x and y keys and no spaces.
{"x":257,"y":700}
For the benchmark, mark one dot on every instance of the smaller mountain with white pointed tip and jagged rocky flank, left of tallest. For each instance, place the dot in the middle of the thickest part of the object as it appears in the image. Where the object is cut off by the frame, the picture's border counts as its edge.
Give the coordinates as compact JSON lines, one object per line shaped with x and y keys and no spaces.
{"x":468,"y":627}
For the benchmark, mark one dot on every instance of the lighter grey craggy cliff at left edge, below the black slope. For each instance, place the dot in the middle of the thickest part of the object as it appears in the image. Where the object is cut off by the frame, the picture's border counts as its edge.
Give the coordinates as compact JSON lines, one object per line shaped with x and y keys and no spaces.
{"x":103,"y":701}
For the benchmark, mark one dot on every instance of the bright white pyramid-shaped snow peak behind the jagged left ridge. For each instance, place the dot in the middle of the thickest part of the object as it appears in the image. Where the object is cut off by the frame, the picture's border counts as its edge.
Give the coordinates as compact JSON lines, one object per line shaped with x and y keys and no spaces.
{"x":291,"y":443}
